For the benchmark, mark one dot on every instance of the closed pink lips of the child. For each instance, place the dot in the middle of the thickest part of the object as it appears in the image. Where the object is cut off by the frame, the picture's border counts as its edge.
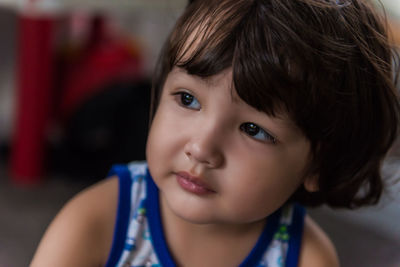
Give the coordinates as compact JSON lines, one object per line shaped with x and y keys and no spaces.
{"x":193,"y":184}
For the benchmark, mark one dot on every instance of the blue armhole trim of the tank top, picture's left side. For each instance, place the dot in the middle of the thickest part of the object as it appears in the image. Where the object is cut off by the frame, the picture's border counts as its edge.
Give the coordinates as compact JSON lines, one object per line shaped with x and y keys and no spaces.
{"x":123,"y":213}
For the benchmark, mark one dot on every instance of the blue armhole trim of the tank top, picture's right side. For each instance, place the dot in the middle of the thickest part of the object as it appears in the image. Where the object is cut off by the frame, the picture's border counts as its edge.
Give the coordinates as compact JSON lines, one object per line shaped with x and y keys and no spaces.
{"x":296,"y":234}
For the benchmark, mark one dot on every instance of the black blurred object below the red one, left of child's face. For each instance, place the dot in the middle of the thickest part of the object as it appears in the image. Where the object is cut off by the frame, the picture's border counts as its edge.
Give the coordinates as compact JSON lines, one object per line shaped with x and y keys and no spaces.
{"x":110,"y":127}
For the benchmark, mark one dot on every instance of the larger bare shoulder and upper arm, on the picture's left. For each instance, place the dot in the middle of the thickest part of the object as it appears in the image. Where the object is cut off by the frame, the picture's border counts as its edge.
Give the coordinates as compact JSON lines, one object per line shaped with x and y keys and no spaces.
{"x":81,"y":233}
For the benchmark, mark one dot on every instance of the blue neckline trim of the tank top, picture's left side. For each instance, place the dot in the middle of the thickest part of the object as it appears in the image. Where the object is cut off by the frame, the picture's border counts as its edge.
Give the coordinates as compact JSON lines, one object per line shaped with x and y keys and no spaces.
{"x":154,"y":219}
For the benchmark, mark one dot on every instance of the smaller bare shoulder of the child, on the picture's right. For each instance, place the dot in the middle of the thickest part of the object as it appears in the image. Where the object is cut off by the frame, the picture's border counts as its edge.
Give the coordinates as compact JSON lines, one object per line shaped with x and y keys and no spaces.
{"x":317,"y":249}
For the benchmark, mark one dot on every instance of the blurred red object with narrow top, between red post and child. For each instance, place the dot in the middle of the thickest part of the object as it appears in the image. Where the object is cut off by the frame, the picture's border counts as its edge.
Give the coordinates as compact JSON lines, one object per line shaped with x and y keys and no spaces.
{"x":103,"y":60}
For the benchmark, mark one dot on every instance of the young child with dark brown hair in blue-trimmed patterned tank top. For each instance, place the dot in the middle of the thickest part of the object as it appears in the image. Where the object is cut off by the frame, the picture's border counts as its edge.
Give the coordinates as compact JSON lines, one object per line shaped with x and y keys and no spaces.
{"x":258,"y":106}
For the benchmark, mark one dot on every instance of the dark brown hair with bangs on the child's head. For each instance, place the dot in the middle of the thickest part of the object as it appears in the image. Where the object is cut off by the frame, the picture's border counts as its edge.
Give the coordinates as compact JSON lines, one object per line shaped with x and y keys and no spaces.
{"x":325,"y":63}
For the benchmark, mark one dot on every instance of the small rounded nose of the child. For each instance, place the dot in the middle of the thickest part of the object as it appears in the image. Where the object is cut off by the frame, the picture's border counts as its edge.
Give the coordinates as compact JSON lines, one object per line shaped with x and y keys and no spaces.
{"x":205,"y":147}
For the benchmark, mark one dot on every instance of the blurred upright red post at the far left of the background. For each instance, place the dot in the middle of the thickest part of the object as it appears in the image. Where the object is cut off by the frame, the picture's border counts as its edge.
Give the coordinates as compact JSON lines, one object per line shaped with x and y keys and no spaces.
{"x":34,"y":94}
